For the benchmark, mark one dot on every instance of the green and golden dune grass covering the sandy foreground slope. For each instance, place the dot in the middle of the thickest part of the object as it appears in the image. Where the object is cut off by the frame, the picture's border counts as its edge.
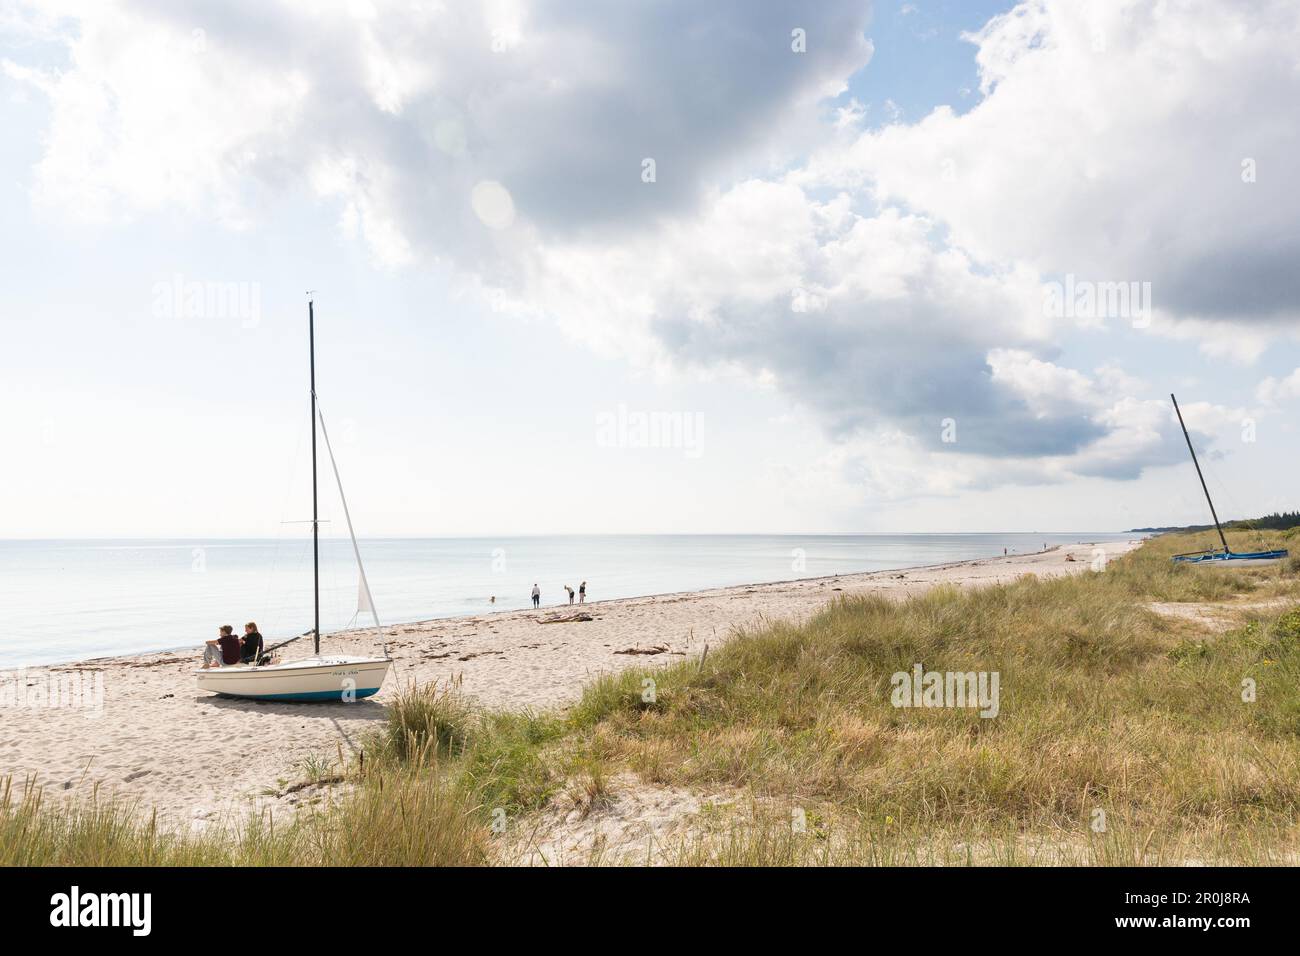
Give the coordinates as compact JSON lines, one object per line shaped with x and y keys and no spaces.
{"x":1124,"y":734}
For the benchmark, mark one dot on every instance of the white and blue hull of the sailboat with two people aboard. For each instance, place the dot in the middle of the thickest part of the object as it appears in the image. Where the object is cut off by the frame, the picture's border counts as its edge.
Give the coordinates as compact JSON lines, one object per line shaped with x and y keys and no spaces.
{"x":311,"y":680}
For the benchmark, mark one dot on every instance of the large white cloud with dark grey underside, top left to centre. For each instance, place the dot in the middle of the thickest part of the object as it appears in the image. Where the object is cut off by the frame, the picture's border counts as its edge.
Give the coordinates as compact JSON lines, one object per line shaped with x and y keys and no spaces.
{"x":422,"y":102}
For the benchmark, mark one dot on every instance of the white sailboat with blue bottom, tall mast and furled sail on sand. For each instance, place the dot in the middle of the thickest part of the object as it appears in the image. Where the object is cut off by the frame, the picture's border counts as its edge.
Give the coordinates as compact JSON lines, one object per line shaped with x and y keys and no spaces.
{"x":314,"y":678}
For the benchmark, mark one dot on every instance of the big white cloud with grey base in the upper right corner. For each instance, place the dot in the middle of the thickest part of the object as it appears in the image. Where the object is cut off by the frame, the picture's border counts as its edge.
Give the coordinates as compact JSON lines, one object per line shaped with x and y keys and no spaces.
{"x":1111,"y":145}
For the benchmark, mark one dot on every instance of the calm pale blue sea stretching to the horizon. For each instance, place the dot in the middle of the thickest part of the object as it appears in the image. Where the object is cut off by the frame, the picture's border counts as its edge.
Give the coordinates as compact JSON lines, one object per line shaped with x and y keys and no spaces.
{"x":75,"y":600}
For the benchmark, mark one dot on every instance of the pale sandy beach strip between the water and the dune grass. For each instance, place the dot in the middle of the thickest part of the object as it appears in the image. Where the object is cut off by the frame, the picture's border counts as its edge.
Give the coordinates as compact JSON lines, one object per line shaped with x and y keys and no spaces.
{"x":196,"y":758}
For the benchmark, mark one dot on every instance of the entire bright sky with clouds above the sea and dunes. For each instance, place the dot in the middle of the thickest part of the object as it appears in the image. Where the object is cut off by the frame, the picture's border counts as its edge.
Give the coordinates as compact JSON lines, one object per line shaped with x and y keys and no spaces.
{"x":911,"y":198}
